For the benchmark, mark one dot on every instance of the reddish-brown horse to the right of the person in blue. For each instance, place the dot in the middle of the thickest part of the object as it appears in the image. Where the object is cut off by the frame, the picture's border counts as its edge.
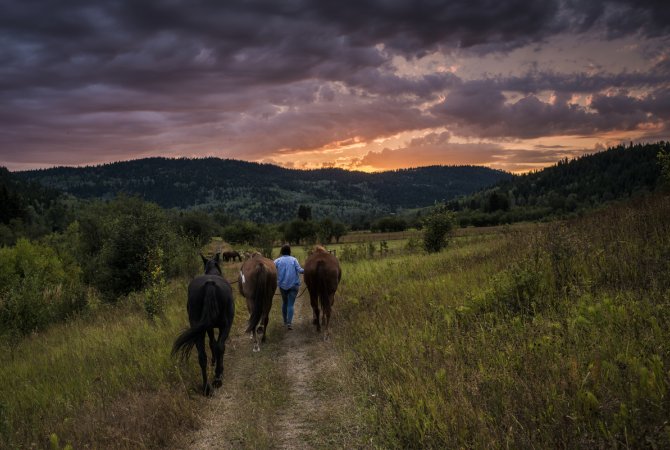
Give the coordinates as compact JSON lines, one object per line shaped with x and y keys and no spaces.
{"x":322,"y":275}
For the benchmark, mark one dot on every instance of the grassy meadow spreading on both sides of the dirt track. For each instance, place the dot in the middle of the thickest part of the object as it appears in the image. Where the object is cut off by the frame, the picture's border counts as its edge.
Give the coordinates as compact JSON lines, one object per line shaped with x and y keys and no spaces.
{"x":531,"y":336}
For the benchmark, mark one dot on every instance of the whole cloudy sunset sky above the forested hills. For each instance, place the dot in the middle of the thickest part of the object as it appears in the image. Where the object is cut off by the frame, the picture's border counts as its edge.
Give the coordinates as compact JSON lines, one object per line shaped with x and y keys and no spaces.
{"x":362,"y":85}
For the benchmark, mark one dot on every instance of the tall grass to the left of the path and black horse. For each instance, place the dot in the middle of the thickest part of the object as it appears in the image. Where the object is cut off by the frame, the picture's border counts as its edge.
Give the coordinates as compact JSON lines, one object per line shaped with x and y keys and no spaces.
{"x":105,"y":380}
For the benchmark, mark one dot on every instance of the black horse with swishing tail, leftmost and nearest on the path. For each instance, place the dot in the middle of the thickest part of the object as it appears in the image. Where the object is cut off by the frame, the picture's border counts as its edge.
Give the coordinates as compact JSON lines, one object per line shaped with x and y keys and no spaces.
{"x":210,"y":305}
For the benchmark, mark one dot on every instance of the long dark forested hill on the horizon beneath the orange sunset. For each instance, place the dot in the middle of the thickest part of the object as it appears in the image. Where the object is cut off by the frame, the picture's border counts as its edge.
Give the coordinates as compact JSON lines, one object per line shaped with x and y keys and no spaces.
{"x":265,"y":192}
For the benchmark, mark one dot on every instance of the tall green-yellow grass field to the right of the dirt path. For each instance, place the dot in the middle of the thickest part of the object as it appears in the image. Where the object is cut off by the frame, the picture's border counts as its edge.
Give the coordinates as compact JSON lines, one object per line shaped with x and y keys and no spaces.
{"x":554,"y":337}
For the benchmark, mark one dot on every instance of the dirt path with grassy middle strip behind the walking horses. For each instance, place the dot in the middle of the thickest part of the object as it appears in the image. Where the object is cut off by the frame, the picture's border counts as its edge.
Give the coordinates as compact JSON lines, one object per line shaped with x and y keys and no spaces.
{"x":290,"y":395}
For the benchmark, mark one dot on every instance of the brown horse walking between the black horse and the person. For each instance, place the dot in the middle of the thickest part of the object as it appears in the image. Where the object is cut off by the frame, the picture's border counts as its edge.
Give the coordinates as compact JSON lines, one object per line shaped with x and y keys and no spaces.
{"x":258,"y":282}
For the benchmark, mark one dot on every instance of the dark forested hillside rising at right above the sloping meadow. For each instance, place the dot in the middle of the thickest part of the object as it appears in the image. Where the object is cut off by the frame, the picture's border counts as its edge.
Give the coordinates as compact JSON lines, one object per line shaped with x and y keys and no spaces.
{"x":566,"y":188}
